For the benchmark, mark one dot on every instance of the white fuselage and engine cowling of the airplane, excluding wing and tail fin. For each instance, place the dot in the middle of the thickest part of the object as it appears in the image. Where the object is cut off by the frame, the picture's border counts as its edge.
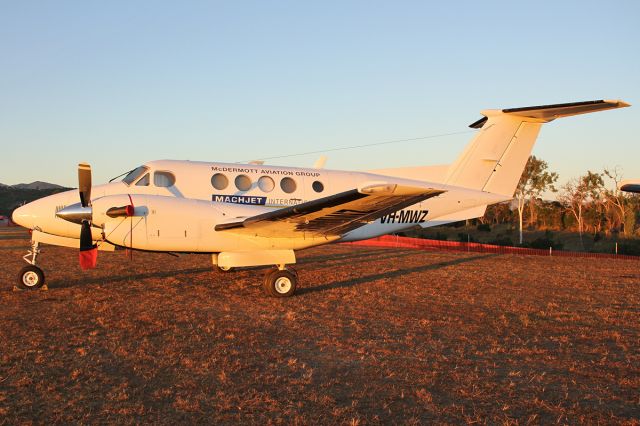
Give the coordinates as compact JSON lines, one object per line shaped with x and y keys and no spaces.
{"x":182,"y":217}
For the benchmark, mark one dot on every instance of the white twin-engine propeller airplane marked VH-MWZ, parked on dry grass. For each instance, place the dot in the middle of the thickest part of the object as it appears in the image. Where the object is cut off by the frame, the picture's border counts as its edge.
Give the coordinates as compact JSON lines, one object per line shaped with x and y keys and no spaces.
{"x":252,"y":214}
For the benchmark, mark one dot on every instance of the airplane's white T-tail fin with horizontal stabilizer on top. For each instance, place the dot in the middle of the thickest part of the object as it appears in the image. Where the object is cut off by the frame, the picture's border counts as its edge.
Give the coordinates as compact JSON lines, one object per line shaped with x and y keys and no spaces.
{"x":495,"y":158}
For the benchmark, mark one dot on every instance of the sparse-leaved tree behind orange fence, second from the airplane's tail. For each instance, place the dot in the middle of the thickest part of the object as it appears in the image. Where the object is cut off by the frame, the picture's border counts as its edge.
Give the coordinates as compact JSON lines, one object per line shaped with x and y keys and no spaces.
{"x":579,"y":194}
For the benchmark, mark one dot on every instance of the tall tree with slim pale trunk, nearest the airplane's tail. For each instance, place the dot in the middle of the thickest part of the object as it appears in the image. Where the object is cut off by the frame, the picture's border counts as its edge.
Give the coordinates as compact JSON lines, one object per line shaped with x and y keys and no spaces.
{"x":534,"y":181}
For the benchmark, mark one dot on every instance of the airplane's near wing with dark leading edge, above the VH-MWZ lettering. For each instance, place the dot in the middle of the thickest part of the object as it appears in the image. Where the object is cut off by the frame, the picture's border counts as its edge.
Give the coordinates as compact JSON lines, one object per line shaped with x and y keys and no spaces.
{"x":333,"y":215}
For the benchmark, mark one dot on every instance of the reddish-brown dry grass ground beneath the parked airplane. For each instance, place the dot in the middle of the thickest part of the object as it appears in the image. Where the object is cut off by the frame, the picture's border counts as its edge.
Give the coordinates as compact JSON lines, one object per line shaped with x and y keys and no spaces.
{"x":373,"y":336}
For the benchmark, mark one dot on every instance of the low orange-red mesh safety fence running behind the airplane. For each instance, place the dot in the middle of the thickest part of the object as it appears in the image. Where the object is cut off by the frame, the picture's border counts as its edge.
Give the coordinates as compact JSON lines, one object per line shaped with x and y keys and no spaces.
{"x":424,"y":244}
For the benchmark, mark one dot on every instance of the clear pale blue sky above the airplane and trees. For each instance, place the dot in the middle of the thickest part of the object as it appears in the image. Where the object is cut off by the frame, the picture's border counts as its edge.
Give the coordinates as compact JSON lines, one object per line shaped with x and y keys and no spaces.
{"x":119,"y":83}
